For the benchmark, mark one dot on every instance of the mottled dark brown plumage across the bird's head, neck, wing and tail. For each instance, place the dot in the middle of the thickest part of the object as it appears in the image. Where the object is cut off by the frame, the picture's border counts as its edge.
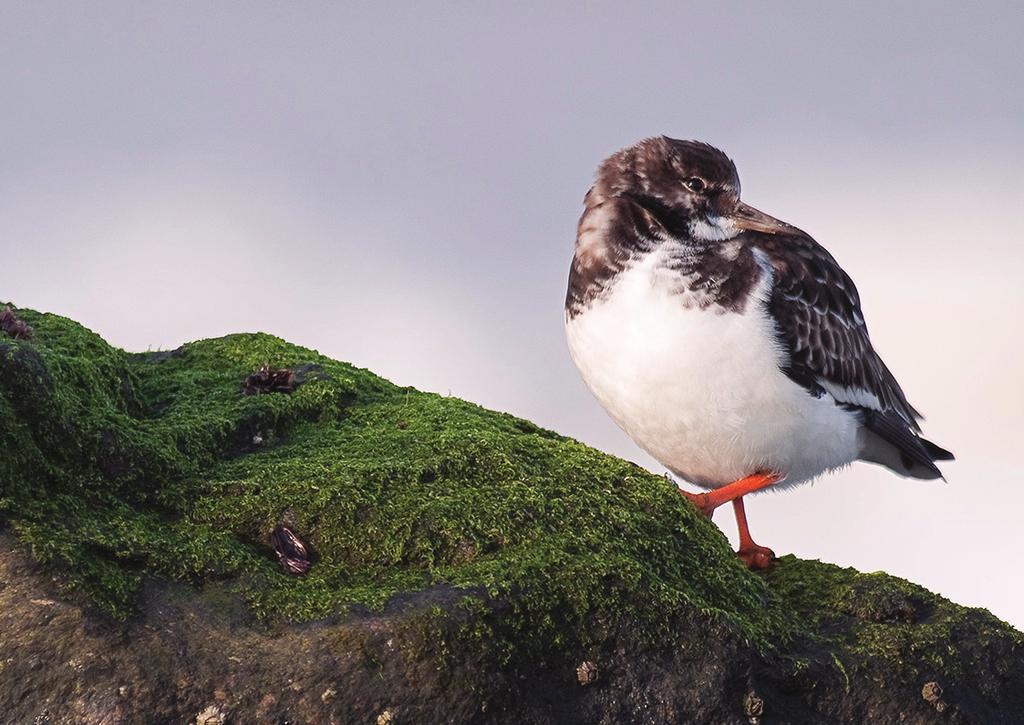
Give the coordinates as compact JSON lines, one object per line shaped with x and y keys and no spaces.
{"x":685,"y":196}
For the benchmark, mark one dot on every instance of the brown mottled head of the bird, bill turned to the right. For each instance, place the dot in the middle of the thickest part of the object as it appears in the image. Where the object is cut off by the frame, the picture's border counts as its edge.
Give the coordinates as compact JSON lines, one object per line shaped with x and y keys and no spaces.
{"x":691,"y":187}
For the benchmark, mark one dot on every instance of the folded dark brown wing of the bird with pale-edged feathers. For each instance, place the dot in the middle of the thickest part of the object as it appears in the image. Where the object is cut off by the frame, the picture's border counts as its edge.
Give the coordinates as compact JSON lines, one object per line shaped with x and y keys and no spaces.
{"x":817,"y":310}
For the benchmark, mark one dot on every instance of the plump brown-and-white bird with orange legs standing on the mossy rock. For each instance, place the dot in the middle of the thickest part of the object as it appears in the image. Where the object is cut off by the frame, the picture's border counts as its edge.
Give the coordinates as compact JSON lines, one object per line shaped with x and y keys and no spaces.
{"x":727,"y":344}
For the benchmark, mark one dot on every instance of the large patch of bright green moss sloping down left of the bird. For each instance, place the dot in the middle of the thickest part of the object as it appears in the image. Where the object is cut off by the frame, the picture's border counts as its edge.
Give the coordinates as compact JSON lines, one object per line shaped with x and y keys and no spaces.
{"x":130,"y":466}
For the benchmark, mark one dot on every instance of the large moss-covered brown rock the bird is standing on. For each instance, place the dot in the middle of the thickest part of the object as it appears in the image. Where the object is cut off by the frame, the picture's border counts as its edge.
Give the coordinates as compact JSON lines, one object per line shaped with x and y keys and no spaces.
{"x":498,"y":555}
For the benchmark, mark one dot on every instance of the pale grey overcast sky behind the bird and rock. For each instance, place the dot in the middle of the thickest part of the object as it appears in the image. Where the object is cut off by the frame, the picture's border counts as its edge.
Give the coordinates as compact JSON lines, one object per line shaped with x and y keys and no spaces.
{"x":399,"y":188}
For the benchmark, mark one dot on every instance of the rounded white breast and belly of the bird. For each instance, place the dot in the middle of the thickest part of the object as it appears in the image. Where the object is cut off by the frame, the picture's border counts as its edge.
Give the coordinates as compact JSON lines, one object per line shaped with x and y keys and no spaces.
{"x":701,"y":390}
